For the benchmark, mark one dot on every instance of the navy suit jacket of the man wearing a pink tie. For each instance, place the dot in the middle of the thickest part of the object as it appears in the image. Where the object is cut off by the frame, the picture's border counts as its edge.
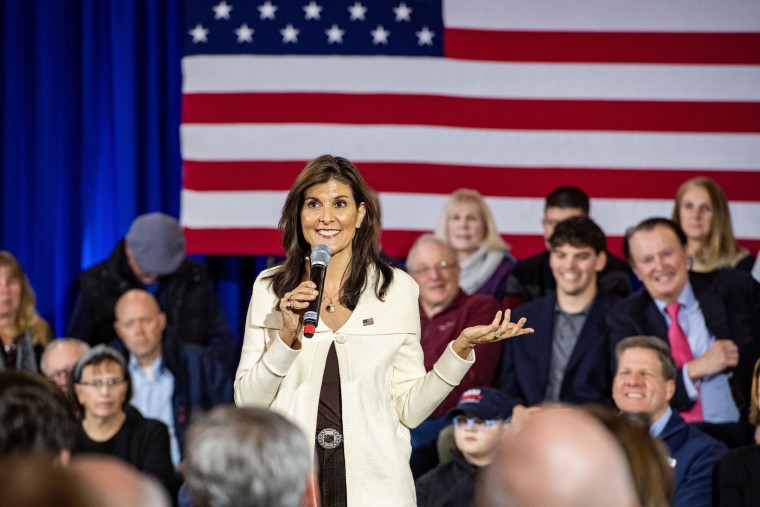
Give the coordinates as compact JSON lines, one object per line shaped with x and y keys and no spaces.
{"x":730,"y":302}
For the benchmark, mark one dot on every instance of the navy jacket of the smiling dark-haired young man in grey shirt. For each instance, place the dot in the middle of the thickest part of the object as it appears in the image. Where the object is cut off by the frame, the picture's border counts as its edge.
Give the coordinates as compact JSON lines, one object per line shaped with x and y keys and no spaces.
{"x":526,"y":359}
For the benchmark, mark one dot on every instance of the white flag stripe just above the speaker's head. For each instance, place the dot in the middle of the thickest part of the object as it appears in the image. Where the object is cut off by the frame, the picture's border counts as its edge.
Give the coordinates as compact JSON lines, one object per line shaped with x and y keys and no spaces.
{"x":472,"y":146}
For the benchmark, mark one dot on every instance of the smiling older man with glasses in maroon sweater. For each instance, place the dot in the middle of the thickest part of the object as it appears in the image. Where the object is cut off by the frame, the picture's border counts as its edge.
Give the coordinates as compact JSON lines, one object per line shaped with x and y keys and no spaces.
{"x":445,"y":310}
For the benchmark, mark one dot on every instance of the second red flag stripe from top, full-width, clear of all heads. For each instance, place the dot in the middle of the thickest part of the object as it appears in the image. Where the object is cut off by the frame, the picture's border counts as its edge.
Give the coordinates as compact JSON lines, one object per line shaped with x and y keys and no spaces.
{"x":390,"y":109}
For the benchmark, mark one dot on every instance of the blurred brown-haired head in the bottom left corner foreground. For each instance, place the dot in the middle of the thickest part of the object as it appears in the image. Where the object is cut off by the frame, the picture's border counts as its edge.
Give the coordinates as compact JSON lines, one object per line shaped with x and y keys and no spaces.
{"x":30,"y":480}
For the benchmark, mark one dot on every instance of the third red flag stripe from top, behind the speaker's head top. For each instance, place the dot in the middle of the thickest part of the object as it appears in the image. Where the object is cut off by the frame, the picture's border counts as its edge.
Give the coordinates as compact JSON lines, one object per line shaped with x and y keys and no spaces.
{"x":651,"y":183}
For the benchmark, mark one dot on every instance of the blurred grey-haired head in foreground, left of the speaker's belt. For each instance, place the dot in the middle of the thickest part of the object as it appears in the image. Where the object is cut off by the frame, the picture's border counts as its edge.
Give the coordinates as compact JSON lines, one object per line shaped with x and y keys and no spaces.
{"x":249,"y":456}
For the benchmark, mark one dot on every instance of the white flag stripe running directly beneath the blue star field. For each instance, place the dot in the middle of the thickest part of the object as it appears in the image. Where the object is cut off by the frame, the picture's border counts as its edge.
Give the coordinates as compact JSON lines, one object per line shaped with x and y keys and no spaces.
{"x":438,"y":76}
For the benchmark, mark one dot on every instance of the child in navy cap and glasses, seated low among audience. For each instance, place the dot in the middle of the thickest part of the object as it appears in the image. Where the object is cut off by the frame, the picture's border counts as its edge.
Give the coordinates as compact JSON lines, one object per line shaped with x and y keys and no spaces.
{"x":481,"y":419}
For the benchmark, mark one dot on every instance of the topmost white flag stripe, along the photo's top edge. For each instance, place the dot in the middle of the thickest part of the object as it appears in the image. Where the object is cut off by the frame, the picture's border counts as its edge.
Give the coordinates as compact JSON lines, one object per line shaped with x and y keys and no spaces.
{"x":605,"y":15}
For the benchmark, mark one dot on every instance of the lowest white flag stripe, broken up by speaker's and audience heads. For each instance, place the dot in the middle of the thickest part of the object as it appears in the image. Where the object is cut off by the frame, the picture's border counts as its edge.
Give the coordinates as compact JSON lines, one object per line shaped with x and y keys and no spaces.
{"x":413,"y":212}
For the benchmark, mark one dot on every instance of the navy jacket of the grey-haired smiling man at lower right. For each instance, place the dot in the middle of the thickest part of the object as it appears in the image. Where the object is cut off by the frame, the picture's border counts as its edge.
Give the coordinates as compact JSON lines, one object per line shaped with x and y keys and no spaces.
{"x":696,"y":455}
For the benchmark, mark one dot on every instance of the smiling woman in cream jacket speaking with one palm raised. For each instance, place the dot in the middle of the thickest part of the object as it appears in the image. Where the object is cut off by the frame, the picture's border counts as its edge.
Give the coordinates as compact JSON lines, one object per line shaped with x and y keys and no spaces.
{"x":359,"y":383}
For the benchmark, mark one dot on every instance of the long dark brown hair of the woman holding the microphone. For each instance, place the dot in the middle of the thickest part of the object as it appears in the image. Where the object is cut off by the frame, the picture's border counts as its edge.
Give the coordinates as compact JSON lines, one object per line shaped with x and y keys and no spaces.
{"x":365,"y":251}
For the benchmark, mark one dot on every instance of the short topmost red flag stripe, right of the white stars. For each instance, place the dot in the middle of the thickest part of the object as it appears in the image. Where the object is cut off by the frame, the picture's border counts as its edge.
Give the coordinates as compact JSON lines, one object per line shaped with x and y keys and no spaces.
{"x":737,"y":48}
